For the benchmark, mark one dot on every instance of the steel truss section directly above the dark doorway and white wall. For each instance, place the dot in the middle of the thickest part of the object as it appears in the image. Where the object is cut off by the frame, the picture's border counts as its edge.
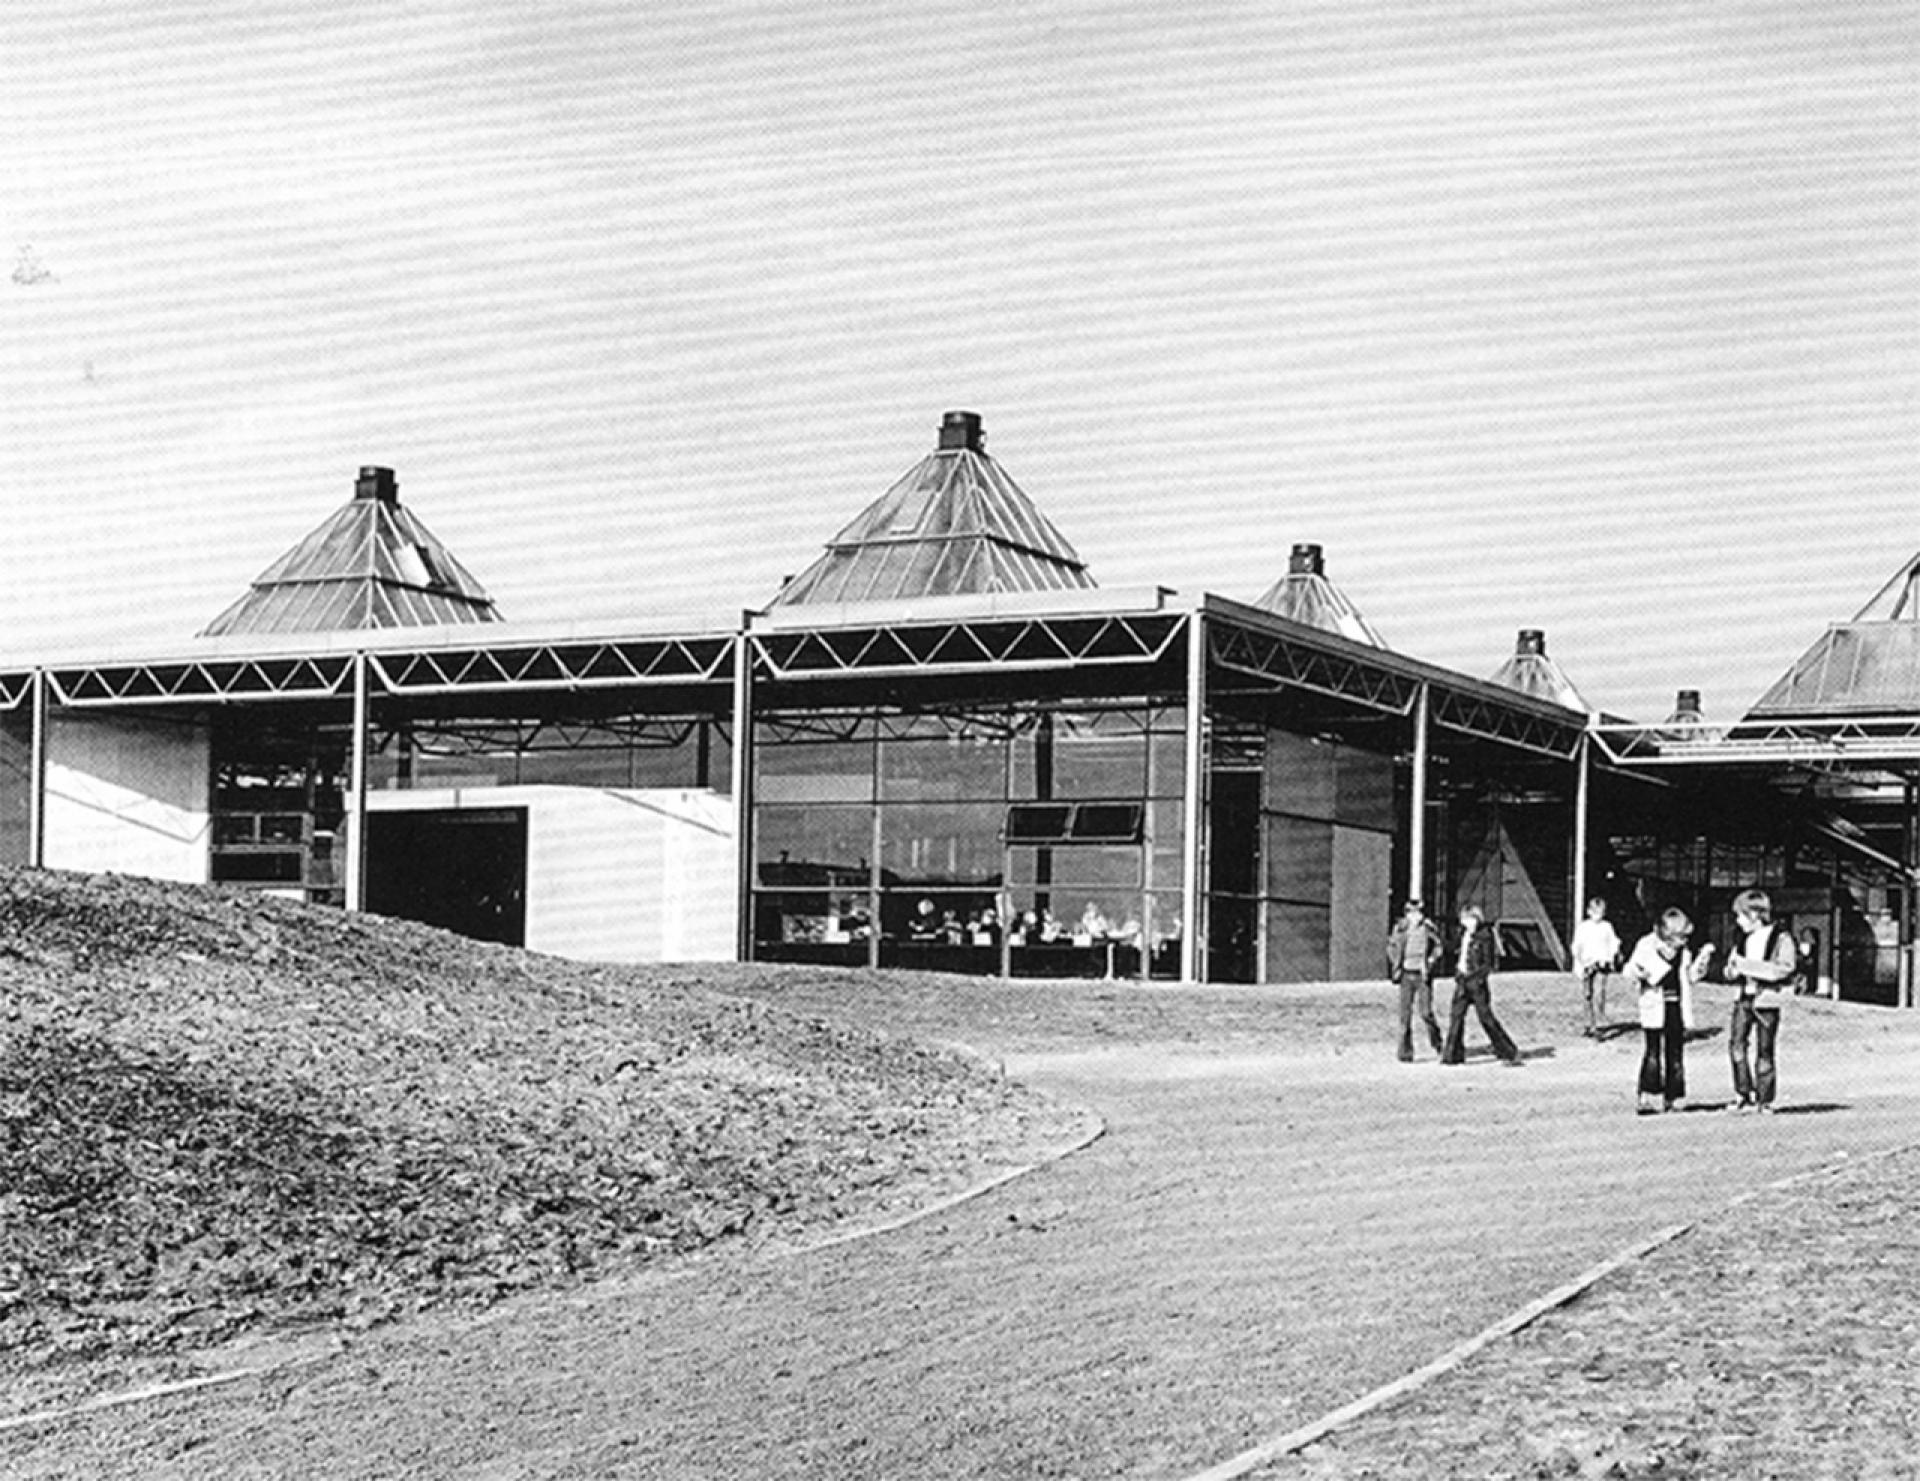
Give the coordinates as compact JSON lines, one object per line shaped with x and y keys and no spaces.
{"x":556,"y":666}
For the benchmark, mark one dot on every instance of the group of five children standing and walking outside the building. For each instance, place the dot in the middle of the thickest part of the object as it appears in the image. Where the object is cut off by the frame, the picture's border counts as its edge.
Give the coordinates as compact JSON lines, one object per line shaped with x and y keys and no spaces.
{"x":1764,"y":963}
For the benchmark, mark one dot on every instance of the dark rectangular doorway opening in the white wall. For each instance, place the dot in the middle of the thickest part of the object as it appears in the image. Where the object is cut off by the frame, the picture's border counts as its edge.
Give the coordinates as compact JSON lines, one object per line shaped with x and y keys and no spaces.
{"x":464,"y":871}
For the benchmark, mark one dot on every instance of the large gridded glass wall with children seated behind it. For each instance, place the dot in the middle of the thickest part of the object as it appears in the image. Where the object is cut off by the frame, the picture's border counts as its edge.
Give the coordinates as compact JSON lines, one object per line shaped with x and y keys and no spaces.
{"x":1026,"y":840}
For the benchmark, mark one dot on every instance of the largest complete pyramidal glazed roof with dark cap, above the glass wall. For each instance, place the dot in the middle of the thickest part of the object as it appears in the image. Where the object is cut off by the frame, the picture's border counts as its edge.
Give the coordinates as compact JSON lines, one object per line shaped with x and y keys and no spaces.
{"x":953,"y":525}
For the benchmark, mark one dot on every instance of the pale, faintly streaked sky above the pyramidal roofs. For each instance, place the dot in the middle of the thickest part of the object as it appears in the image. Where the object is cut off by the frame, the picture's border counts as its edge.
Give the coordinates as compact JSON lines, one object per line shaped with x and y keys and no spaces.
{"x":1598,"y":318}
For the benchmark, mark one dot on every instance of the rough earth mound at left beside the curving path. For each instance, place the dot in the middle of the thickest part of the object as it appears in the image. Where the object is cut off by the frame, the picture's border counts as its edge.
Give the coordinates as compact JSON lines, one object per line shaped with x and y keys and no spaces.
{"x":222,"y":1111}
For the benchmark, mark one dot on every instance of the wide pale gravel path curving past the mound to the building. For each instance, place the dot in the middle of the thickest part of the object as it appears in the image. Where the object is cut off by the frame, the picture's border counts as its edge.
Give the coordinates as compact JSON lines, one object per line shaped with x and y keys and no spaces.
{"x":1278,"y":1221}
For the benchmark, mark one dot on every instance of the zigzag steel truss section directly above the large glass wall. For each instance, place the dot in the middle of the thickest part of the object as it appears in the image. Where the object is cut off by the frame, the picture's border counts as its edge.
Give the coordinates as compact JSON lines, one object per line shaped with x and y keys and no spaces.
{"x":969,"y":646}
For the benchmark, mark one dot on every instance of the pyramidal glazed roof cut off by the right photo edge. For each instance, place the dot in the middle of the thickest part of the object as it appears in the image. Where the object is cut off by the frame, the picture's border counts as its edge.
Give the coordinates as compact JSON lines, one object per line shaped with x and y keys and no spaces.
{"x":1867,"y":666}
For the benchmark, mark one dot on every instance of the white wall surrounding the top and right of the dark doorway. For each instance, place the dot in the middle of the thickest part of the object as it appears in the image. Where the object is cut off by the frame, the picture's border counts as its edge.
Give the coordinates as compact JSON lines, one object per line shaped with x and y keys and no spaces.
{"x":615,"y":875}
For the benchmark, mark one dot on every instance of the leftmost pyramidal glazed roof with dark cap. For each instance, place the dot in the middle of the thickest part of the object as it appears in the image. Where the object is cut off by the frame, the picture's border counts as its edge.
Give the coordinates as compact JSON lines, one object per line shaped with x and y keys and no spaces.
{"x":370,"y":566}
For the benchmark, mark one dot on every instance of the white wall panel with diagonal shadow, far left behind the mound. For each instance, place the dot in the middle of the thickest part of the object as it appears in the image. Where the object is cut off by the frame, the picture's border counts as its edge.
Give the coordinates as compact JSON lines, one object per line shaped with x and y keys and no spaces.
{"x":128,"y":794}
